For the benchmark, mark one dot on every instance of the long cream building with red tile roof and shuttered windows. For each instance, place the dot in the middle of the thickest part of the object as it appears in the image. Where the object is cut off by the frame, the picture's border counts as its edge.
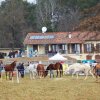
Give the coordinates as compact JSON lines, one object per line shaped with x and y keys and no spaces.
{"x":70,"y":43}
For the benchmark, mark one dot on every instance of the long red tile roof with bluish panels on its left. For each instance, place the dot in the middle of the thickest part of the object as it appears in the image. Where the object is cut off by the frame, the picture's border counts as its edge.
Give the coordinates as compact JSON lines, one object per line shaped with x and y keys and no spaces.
{"x":60,"y":37}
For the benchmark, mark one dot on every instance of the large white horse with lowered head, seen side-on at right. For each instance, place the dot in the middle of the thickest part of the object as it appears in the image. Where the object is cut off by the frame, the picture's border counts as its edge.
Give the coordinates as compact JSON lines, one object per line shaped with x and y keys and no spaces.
{"x":77,"y":68}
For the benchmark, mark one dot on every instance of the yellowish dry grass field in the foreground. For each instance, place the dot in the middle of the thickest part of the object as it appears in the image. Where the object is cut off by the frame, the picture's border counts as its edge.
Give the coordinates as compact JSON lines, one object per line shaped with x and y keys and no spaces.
{"x":64,"y":88}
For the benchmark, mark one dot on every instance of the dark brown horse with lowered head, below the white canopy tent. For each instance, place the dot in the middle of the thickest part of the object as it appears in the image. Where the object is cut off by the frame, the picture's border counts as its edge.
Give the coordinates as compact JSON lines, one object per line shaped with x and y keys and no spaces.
{"x":58,"y":67}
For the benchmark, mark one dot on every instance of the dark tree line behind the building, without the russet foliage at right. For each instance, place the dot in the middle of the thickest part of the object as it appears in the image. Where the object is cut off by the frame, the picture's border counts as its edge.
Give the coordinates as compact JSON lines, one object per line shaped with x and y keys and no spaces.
{"x":18,"y":17}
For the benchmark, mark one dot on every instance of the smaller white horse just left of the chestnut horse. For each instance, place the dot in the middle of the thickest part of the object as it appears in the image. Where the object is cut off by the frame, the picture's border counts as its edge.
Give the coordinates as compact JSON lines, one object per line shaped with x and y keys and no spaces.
{"x":32,"y":70}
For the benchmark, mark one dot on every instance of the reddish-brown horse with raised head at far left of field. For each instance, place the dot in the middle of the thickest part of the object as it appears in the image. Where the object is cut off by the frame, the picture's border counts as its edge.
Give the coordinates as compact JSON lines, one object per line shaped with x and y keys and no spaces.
{"x":10,"y":68}
